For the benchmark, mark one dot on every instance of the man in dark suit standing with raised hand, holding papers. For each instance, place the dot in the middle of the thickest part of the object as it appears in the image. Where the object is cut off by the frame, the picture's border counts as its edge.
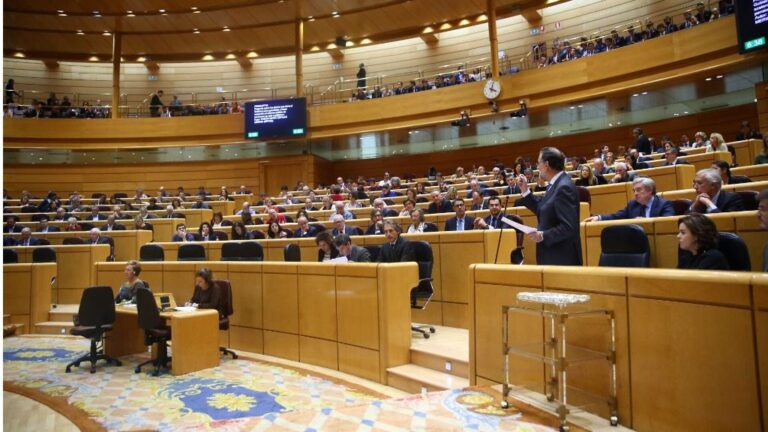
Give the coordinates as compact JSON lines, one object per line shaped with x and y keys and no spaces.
{"x":557,"y":236}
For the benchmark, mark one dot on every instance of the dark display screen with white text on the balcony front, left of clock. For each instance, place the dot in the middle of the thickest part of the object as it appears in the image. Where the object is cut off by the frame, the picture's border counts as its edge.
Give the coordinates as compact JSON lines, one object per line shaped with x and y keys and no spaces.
{"x":285,"y":118}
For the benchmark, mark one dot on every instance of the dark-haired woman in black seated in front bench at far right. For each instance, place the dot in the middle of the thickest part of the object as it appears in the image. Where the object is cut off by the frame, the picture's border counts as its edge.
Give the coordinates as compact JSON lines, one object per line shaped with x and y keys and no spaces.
{"x":698,"y":244}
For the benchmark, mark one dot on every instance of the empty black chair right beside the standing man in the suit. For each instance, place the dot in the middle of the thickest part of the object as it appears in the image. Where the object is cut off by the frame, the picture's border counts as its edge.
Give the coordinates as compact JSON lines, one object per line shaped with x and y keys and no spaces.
{"x":624,"y":246}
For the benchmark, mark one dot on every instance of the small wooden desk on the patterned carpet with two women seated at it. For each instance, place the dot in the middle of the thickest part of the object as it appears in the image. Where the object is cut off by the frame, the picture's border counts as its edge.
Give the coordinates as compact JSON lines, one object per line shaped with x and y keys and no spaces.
{"x":194,"y":338}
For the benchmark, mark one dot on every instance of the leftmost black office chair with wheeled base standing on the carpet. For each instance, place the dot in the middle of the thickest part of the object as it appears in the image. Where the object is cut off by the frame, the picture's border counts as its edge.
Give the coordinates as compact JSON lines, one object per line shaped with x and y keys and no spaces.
{"x":94,"y":318}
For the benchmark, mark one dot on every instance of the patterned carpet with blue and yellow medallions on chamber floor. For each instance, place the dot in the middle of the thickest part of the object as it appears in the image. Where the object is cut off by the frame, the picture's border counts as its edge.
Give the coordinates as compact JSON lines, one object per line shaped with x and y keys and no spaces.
{"x":237,"y":395}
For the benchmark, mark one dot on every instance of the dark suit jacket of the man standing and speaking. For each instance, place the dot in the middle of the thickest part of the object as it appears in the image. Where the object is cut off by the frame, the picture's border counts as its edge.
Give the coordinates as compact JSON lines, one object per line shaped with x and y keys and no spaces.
{"x":558,"y":214}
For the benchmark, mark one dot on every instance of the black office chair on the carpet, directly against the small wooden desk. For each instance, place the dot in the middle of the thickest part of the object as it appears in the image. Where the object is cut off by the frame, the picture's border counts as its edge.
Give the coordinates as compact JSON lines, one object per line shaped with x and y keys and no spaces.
{"x":155,"y":330}
